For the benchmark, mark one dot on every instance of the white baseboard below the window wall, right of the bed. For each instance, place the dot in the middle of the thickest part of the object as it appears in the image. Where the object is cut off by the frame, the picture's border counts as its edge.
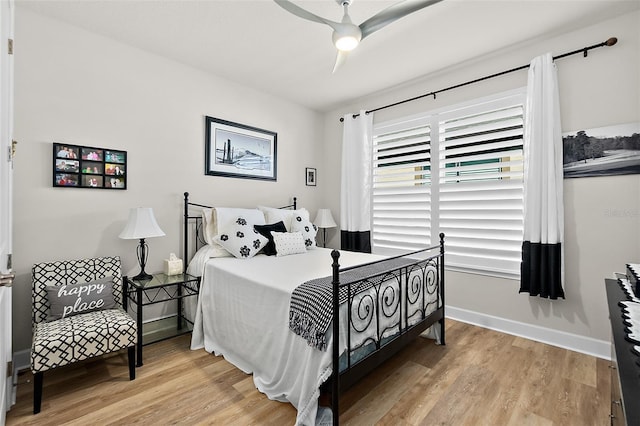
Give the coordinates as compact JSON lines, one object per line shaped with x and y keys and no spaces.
{"x":574,"y":342}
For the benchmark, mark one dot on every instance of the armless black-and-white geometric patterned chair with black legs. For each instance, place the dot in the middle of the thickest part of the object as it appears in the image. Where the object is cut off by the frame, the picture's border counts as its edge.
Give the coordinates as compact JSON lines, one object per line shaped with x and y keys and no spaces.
{"x":74,"y":338}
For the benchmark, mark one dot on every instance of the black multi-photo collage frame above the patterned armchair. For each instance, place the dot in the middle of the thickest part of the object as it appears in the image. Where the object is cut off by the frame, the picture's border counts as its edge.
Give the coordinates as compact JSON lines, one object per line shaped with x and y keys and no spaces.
{"x":77,"y":166}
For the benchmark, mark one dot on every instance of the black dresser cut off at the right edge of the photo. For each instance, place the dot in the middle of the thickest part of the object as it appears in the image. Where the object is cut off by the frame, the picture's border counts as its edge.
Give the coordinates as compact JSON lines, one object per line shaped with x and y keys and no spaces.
{"x":625,"y":371}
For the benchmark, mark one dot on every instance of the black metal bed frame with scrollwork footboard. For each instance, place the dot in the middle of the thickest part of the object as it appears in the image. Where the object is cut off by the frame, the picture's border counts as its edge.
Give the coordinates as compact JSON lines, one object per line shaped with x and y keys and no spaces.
{"x":413,"y":293}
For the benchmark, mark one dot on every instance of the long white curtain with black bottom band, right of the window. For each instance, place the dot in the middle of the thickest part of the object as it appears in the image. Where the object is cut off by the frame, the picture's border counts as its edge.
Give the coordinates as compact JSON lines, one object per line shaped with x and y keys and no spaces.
{"x":542,"y":251}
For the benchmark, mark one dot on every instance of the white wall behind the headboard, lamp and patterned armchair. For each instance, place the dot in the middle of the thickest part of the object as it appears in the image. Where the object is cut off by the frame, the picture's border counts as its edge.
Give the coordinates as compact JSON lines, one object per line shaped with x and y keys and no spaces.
{"x":79,"y":88}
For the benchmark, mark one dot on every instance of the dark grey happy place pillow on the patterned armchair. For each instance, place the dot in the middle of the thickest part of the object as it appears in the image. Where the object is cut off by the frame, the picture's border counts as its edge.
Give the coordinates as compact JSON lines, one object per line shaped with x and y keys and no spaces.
{"x":74,"y":299}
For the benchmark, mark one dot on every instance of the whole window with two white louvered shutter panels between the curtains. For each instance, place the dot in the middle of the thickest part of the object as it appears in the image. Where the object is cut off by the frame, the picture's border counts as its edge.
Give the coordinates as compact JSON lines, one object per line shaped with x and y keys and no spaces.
{"x":457,"y":171}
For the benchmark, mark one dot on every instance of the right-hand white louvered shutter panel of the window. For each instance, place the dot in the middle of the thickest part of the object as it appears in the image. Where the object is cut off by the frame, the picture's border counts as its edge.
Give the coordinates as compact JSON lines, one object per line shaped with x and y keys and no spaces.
{"x":481,"y":186}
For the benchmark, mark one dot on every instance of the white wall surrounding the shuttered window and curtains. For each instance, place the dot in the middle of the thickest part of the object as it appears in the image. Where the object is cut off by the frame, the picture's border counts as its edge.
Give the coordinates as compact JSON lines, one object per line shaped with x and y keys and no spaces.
{"x":602,"y":215}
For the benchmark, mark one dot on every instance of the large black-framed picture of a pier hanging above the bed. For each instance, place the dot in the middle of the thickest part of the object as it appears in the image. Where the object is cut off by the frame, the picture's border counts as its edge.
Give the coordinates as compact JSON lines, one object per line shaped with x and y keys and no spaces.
{"x":240,"y":151}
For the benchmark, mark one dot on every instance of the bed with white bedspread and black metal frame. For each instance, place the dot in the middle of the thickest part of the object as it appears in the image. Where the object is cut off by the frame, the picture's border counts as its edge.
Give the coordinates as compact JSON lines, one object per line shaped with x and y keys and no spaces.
{"x":260,"y":313}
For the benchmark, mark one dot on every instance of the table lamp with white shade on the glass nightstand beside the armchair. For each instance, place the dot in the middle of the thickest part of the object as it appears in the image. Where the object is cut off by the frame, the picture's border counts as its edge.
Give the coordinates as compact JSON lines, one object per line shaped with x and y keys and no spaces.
{"x":141,"y":224}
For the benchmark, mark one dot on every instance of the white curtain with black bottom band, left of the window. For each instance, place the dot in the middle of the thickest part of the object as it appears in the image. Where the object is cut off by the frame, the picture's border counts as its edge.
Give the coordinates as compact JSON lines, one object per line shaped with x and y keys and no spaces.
{"x":355,"y":195}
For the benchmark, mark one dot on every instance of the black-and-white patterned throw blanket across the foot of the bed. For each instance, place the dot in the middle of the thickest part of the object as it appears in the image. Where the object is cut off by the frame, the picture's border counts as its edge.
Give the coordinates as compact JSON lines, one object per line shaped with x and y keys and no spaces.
{"x":311,"y":307}
